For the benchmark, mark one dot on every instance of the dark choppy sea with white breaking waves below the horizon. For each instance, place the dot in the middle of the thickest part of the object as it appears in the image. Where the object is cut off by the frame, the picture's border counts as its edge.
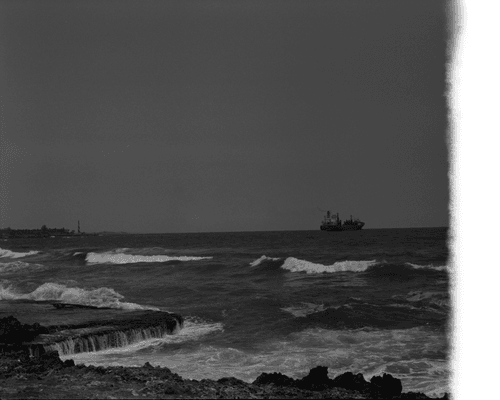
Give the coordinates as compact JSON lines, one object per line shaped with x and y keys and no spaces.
{"x":372,"y":301}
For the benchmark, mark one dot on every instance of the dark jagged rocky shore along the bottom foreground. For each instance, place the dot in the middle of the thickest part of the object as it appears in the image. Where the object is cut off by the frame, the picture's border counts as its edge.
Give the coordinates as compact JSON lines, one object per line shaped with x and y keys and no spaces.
{"x":46,"y":376}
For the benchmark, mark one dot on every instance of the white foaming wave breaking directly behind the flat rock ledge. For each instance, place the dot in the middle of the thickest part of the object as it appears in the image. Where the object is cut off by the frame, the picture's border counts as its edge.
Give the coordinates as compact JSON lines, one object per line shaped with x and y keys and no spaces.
{"x":102,"y":297}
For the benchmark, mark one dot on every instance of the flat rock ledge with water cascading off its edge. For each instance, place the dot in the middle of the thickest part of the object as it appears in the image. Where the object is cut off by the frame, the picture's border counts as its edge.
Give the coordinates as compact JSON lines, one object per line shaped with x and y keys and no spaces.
{"x":74,"y":329}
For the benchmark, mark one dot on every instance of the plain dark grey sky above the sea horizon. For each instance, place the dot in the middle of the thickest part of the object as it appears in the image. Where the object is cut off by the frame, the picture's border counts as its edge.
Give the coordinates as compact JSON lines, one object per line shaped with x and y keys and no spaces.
{"x":182,"y":116}
